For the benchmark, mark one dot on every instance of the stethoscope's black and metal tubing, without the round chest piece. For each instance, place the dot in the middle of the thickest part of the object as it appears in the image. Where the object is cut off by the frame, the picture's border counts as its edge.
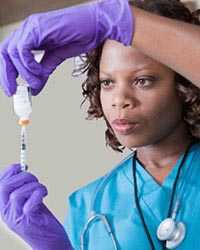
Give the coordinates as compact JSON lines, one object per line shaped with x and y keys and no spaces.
{"x":95,"y":215}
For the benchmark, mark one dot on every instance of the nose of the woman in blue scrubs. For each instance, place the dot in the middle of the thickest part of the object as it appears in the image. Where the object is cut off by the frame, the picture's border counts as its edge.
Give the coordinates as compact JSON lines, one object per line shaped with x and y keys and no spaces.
{"x":121,"y":99}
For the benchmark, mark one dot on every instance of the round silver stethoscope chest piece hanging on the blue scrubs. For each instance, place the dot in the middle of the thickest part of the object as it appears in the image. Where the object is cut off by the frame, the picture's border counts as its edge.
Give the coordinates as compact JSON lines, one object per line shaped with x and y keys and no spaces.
{"x":172,"y":232}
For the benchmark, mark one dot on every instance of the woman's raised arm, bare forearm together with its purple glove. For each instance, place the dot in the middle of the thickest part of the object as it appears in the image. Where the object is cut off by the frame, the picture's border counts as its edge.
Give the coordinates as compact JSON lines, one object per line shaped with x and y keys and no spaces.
{"x":173,"y":43}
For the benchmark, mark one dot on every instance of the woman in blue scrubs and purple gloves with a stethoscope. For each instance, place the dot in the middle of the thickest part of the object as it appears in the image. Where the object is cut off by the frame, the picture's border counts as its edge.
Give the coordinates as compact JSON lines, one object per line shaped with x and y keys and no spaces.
{"x":149,"y":96}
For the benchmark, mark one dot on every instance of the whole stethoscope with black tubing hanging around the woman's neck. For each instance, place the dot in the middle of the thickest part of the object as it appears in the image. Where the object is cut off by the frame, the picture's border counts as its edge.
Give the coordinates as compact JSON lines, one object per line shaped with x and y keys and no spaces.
{"x":170,"y":232}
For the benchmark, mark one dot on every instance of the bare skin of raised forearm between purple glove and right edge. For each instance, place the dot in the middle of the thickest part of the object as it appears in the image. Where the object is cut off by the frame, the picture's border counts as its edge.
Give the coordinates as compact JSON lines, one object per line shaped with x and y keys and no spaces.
{"x":171,"y":42}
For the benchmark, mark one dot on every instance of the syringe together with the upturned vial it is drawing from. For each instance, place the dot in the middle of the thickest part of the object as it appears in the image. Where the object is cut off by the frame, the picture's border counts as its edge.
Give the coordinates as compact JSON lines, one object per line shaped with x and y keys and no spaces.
{"x":23,"y":108}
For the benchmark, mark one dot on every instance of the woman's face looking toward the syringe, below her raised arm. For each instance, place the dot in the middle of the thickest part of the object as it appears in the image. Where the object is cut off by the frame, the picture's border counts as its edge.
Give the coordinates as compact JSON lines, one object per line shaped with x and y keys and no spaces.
{"x":140,"y":90}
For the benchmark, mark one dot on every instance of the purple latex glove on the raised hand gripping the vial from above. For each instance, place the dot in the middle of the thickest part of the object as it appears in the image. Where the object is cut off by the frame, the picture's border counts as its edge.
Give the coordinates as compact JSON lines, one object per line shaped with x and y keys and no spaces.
{"x":62,"y":34}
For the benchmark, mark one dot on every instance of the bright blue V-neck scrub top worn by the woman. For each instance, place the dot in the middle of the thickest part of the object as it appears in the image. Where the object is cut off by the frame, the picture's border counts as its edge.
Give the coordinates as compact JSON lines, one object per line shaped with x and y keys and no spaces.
{"x":116,"y":201}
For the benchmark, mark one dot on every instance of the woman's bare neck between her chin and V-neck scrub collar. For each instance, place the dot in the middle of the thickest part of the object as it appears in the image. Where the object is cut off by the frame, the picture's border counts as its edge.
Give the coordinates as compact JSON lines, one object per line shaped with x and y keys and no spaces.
{"x":166,"y":151}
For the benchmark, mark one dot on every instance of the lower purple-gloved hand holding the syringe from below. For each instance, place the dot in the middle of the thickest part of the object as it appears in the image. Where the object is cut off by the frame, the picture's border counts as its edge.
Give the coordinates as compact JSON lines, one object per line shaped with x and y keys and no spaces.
{"x":21,"y":208}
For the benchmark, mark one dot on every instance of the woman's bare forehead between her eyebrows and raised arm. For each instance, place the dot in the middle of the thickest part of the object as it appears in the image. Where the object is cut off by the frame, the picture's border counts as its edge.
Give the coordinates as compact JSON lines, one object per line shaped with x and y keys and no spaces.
{"x":116,"y":56}
